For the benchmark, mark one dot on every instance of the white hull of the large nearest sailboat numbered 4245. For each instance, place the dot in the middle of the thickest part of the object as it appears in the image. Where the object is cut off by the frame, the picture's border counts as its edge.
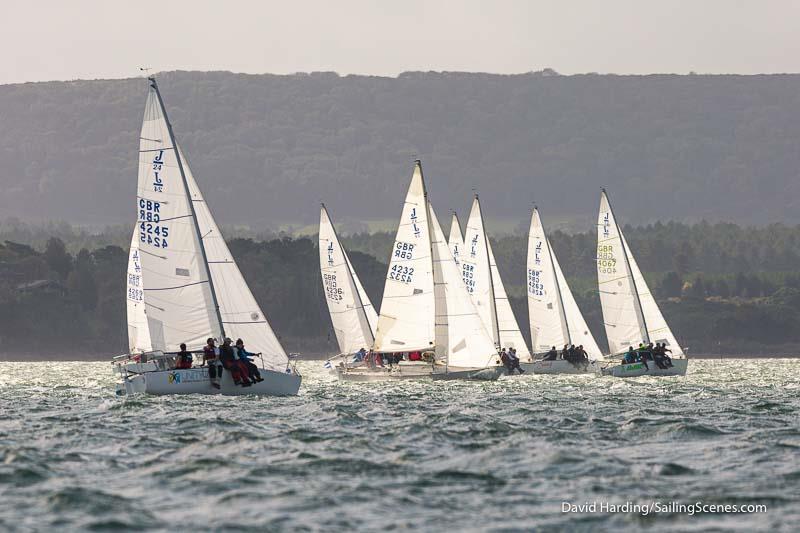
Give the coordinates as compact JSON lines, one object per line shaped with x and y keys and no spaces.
{"x":196,"y":381}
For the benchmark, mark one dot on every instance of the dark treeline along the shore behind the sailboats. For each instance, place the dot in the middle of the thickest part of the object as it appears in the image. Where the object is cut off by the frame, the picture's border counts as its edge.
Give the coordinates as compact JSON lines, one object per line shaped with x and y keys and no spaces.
{"x":722,"y":287}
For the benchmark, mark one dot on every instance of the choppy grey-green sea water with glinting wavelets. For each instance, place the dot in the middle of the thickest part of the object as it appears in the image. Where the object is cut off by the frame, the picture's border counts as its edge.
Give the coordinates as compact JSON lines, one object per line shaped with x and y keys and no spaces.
{"x":432,"y":456}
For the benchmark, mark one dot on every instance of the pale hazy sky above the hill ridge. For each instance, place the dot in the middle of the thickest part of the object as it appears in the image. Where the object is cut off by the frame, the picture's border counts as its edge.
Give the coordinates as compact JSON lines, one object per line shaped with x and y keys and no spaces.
{"x":56,"y":40}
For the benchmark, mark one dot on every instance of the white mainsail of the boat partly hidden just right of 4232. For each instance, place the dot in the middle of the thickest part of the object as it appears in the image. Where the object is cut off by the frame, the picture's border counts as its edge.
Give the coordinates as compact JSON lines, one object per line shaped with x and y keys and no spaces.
{"x":476,"y":270}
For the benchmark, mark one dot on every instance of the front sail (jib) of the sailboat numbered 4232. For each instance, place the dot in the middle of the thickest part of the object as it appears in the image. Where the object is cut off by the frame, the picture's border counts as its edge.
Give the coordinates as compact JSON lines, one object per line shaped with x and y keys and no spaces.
{"x":461,"y":337}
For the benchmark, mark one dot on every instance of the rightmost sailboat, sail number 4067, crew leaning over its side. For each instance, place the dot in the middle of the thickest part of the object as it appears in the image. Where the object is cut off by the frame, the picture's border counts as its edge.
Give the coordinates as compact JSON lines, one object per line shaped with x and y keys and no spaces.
{"x":630,"y":312}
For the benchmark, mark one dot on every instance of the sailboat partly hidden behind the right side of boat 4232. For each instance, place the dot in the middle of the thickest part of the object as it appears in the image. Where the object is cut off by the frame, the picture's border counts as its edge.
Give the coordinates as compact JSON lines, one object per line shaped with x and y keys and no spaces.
{"x":483,"y":282}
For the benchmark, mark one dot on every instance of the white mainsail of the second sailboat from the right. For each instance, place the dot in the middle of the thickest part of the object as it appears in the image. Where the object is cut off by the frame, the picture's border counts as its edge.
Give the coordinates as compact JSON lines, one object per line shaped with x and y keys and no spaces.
{"x":548,"y":321}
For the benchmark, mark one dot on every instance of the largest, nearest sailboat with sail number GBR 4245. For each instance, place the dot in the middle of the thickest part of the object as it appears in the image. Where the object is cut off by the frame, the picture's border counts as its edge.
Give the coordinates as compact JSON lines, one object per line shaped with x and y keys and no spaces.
{"x":189,"y":287}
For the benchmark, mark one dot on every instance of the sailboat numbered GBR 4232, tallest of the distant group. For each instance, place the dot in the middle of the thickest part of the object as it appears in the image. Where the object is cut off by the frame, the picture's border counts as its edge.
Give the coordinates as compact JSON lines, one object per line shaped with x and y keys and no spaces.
{"x":426,"y":309}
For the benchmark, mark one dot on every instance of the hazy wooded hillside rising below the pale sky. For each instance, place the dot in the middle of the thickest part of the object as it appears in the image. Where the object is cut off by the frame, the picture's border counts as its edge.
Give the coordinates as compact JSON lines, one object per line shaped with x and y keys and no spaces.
{"x":266,"y":149}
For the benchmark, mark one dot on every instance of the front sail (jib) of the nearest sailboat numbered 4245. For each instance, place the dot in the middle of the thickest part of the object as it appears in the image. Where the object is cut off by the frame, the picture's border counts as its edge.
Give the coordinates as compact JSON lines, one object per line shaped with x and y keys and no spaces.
{"x":242,"y":317}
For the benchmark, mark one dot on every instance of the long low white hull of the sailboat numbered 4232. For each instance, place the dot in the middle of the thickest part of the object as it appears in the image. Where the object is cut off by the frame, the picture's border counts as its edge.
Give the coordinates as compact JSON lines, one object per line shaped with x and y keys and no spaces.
{"x":410,"y":371}
